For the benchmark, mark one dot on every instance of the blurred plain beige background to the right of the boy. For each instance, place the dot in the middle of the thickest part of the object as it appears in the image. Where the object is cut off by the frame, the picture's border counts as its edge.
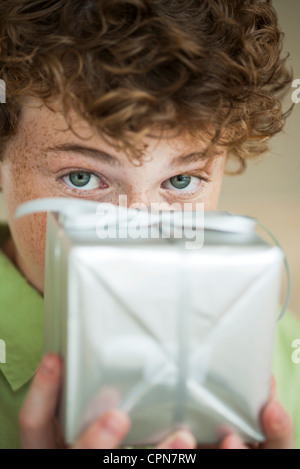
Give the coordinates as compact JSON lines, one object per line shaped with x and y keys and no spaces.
{"x":270,"y":189}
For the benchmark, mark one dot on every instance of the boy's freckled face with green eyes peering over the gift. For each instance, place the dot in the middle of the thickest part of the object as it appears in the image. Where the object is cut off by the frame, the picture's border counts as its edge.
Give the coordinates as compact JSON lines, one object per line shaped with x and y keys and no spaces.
{"x":46,"y":160}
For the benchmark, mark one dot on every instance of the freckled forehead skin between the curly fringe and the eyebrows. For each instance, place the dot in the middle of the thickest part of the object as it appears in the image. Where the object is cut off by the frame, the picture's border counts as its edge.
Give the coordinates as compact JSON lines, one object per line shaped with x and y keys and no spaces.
{"x":44,"y":126}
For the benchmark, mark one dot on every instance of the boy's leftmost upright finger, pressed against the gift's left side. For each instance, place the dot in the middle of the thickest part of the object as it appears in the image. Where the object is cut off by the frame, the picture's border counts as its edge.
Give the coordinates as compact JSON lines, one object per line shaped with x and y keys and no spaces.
{"x":36,"y":418}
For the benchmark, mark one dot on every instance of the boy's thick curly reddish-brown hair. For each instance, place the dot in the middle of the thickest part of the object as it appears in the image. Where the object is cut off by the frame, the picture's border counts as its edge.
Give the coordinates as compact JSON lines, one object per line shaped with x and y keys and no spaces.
{"x":211,"y":68}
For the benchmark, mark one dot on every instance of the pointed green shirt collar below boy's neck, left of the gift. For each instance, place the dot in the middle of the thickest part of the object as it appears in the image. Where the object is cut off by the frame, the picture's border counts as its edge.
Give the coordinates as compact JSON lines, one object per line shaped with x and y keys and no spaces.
{"x":21,"y":324}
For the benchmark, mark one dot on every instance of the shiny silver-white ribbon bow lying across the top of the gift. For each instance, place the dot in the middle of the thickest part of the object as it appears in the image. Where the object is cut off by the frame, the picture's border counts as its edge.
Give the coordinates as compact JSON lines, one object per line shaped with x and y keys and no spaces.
{"x":83,"y":214}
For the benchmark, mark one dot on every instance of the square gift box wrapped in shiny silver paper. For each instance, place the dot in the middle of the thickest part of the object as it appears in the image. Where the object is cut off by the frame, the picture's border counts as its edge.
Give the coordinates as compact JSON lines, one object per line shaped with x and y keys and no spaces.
{"x":176,"y":337}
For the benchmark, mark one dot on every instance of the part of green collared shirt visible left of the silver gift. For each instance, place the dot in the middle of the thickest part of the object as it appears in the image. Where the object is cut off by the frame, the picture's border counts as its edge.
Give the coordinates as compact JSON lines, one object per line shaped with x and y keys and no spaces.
{"x":21,"y":329}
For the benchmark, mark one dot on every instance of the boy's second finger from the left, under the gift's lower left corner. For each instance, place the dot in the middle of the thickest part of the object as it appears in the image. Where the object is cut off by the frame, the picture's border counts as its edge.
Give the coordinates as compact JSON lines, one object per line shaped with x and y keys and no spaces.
{"x":107,"y":432}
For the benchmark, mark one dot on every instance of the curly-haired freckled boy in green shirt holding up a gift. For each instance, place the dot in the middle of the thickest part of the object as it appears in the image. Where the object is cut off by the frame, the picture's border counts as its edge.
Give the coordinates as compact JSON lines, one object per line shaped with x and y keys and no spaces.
{"x":142,"y":98}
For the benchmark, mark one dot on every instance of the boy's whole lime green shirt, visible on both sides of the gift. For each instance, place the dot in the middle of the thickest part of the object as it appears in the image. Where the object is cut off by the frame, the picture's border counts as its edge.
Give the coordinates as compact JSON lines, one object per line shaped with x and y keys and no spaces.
{"x":21,"y":329}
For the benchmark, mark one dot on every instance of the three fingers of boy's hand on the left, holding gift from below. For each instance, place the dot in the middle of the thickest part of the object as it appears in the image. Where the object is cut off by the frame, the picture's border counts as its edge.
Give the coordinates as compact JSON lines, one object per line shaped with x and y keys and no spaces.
{"x":39,"y":429}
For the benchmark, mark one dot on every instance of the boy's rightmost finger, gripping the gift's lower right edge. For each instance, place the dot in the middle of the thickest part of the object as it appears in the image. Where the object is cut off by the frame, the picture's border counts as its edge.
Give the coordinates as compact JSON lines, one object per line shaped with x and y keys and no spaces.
{"x":278,"y":427}
